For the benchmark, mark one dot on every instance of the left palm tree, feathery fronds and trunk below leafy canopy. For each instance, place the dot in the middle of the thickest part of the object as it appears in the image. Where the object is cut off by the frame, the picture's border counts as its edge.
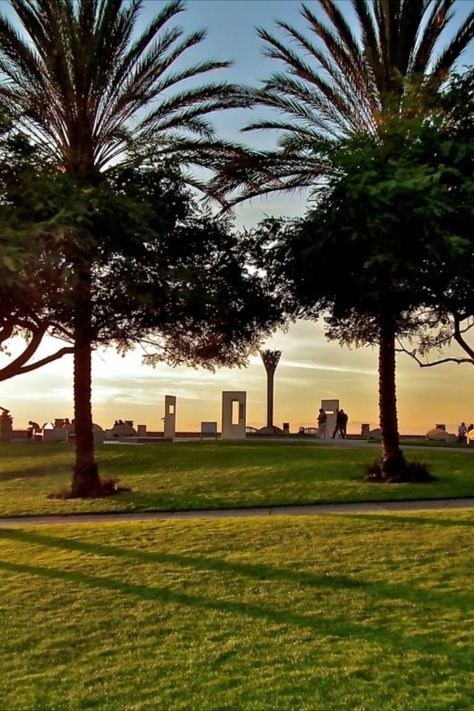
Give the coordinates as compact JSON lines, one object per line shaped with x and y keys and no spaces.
{"x":91,"y":92}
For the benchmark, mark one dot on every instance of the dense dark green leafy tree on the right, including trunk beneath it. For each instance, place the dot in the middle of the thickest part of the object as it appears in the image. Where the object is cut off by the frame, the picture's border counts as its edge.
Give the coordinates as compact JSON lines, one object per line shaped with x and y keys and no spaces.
{"x":365,"y":255}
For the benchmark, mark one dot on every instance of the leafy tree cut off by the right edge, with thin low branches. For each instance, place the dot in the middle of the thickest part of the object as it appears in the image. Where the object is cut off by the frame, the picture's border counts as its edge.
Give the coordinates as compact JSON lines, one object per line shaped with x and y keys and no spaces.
{"x":448,"y":317}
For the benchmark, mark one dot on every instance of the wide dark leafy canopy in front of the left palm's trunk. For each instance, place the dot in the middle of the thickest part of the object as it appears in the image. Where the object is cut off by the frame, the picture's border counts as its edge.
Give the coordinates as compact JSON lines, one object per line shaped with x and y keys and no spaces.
{"x":165,"y":273}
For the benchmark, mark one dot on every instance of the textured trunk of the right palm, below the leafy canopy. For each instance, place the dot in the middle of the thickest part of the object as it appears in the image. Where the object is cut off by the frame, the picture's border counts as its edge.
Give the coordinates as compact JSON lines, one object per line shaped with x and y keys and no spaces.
{"x":393,"y":462}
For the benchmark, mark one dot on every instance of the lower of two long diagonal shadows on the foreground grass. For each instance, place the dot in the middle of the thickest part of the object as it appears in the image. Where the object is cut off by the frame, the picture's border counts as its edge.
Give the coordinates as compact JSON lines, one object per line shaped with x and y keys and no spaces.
{"x":341,"y":628}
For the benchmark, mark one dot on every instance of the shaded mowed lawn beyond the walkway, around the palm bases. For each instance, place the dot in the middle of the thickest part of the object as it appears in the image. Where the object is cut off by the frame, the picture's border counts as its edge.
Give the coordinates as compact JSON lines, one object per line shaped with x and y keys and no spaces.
{"x":200,"y":475}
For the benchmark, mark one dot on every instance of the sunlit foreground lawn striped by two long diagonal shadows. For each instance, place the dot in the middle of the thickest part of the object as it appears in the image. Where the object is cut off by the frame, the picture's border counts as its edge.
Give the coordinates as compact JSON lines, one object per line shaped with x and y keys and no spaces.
{"x":368,"y":612}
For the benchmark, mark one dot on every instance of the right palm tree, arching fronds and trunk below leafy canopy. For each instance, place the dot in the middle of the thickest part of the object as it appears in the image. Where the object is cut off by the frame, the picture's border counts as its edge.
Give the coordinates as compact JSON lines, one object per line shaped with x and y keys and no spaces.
{"x":349,"y":74}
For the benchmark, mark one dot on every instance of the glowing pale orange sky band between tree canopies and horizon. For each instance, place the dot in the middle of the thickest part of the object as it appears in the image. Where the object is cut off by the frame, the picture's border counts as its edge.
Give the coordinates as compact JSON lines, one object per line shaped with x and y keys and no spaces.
{"x":310,"y":369}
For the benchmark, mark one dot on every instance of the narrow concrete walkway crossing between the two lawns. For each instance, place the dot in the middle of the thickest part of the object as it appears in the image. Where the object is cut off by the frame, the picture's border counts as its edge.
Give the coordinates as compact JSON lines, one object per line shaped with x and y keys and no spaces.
{"x":304,"y":510}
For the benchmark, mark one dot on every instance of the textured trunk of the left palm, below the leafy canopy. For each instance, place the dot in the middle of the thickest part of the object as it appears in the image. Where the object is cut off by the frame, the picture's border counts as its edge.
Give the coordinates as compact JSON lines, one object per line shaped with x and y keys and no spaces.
{"x":85,"y":482}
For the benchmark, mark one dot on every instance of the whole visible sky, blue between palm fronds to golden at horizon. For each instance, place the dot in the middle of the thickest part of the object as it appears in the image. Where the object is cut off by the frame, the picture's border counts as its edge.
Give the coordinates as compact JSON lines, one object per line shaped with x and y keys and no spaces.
{"x":310,"y":368}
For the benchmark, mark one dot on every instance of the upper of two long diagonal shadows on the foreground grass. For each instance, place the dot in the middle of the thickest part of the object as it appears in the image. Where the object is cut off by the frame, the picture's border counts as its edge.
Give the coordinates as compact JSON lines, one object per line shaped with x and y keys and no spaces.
{"x":393,"y":591}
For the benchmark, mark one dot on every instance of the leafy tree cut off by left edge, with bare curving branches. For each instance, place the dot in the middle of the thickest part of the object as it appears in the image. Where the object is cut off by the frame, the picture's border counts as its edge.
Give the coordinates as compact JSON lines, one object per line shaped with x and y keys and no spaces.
{"x":28,"y":268}
